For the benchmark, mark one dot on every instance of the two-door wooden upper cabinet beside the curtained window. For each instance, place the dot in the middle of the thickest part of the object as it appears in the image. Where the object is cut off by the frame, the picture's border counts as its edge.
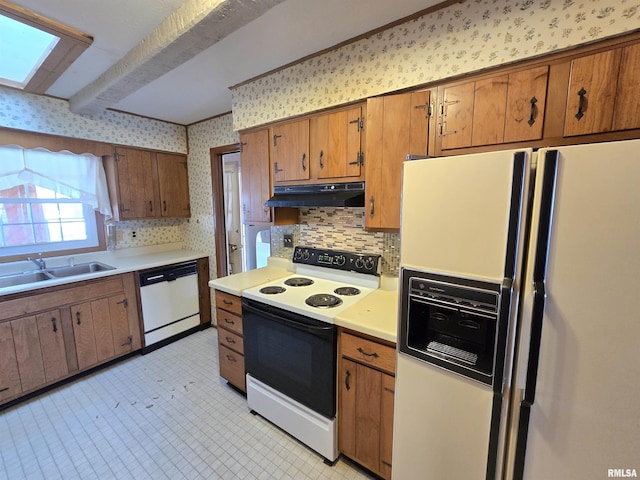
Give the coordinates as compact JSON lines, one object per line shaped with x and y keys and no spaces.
{"x":145,"y":184}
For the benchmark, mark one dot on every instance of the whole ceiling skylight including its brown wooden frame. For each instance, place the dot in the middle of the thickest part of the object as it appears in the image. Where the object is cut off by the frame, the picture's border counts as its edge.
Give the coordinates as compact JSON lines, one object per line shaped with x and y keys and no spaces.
{"x":35,"y":50}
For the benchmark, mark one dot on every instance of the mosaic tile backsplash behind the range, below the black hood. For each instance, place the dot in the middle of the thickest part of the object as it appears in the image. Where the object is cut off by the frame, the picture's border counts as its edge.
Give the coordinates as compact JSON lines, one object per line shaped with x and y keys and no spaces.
{"x":338,"y":229}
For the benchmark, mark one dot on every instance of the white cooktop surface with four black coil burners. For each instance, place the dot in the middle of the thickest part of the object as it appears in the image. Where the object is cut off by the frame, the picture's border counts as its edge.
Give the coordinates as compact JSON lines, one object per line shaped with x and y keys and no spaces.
{"x":325,"y":281}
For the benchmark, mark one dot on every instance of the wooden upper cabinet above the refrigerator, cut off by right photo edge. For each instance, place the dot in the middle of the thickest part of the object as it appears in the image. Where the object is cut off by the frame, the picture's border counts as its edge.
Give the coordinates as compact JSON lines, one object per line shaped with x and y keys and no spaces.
{"x":604,"y":92}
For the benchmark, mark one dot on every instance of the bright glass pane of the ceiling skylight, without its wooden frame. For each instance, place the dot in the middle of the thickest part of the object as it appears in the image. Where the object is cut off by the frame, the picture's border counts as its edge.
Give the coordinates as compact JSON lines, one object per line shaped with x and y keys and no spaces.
{"x":24,"y":49}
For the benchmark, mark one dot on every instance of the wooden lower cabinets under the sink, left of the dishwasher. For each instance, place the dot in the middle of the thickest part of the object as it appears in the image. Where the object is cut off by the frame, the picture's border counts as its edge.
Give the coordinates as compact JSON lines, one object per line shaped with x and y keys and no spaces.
{"x":53,"y":333}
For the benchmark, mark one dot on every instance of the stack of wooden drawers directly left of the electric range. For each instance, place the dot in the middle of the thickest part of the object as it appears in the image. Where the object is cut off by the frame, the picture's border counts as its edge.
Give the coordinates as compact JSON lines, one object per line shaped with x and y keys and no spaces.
{"x":230,"y":339}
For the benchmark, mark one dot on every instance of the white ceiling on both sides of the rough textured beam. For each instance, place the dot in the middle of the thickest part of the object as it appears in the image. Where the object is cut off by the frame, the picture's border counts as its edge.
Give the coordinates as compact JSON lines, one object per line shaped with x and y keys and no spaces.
{"x":199,"y":88}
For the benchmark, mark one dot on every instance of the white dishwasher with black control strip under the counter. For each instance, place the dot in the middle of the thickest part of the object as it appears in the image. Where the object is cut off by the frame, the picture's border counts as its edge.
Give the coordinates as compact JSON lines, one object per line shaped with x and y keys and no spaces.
{"x":170,"y":305}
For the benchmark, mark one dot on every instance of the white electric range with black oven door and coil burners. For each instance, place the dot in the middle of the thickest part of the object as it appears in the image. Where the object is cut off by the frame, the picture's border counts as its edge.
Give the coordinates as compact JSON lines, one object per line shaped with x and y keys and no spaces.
{"x":290,"y":341}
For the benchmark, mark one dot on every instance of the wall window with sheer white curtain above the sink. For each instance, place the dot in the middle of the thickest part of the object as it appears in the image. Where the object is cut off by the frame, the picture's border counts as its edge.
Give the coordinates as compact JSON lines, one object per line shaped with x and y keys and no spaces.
{"x":48,"y":201}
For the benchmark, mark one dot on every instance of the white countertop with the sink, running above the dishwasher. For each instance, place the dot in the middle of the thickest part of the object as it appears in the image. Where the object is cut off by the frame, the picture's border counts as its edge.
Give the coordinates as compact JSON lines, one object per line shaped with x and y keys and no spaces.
{"x":125,"y":260}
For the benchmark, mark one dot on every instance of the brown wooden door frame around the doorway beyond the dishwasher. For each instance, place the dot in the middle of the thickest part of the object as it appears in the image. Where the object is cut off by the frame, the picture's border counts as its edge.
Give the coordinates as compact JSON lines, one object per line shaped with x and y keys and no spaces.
{"x":217,"y":195}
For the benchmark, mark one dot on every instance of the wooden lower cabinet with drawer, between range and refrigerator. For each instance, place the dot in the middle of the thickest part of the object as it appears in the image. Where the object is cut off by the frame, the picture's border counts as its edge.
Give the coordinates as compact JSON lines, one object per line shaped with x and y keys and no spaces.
{"x":366,"y":370}
